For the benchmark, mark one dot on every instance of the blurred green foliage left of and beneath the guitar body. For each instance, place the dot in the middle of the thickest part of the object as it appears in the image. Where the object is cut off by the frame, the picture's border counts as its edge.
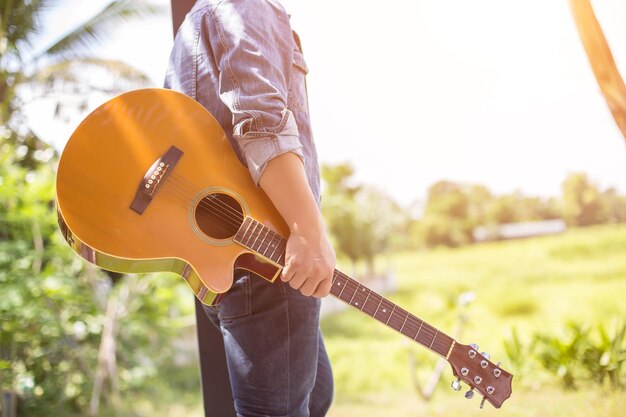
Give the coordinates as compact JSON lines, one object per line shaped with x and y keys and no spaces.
{"x":52,"y":305}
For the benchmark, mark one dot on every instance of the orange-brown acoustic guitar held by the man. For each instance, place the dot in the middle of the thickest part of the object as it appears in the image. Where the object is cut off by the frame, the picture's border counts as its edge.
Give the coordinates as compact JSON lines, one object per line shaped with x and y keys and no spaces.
{"x":149,"y":182}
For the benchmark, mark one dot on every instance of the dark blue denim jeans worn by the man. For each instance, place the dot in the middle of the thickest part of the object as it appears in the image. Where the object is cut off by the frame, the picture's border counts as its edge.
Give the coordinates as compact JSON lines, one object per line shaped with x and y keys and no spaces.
{"x":276,"y":359}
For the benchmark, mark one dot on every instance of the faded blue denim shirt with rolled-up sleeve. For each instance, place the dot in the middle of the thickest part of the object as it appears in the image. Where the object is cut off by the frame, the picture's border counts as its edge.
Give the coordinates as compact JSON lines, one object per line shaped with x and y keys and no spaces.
{"x":241,"y":60}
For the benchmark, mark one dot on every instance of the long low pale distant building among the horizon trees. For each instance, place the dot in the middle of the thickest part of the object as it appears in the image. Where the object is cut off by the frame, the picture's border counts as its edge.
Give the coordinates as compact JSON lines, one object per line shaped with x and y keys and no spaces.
{"x":518,"y":230}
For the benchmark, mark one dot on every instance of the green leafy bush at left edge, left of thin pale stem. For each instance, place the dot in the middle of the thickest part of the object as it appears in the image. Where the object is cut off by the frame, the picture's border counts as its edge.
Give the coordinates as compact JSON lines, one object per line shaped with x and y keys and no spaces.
{"x":49,"y":320}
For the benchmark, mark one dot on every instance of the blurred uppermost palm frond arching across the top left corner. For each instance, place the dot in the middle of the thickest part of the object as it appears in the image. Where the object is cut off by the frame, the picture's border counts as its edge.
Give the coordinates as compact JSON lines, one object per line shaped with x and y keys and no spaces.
{"x":77,"y":43}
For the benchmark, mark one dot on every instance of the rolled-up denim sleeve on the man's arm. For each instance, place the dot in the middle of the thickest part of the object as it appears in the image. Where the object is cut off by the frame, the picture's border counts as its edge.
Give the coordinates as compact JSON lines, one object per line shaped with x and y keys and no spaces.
{"x":252,"y":45}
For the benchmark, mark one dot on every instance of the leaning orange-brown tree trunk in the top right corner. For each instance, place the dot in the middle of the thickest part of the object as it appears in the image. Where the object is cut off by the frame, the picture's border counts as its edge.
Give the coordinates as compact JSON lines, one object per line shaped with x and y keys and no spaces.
{"x":601,"y":60}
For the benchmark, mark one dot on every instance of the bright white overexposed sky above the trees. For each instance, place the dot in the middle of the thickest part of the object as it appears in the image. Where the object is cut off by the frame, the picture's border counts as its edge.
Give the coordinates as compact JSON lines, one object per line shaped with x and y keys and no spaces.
{"x":411,"y":92}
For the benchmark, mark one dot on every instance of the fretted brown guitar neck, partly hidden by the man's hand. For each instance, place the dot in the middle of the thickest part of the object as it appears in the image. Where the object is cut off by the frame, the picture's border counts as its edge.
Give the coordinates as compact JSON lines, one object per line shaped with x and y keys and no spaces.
{"x":268,"y":244}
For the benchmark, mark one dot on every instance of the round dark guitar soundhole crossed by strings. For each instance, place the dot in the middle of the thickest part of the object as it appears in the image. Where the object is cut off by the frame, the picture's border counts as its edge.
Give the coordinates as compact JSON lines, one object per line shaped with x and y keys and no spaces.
{"x":219,"y":215}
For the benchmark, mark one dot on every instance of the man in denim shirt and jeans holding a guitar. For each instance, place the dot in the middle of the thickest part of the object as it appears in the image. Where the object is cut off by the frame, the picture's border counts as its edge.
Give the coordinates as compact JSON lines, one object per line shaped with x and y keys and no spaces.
{"x":241,"y":60}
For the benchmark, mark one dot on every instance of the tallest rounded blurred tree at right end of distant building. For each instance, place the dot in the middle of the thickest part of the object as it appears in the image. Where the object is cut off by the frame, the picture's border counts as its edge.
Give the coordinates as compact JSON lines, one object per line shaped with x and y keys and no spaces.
{"x":582,"y":202}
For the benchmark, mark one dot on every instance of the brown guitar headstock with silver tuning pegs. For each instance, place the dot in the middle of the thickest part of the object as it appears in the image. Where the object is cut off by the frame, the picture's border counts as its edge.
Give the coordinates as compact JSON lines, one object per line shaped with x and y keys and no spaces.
{"x":482,"y":375}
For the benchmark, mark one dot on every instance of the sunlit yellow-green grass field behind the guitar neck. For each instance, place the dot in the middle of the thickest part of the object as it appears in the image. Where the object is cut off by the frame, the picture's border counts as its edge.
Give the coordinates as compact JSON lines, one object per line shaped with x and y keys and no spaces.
{"x":534,"y":286}
